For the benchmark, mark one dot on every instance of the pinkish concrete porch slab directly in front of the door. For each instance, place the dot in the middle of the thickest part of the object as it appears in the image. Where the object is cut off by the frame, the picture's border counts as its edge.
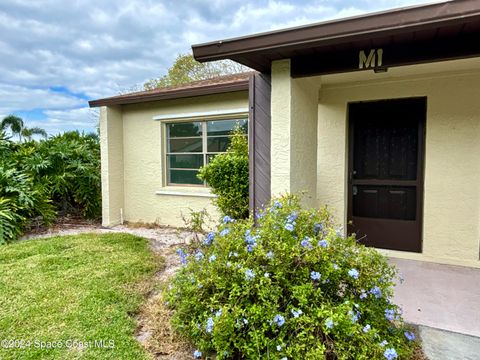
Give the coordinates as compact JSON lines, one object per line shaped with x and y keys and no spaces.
{"x":439,"y":296}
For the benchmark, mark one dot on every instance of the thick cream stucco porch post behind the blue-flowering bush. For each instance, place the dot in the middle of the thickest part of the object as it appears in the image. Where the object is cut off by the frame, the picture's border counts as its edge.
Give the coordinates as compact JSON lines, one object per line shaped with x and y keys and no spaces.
{"x":294,"y":134}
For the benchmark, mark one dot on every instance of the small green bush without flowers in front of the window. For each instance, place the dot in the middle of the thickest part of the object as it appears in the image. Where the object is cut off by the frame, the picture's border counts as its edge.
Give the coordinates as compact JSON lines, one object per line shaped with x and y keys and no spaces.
{"x":227,"y":175}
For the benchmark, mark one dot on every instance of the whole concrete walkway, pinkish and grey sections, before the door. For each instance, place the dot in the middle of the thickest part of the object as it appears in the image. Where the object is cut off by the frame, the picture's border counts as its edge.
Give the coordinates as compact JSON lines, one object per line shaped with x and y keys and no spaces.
{"x":444,"y":301}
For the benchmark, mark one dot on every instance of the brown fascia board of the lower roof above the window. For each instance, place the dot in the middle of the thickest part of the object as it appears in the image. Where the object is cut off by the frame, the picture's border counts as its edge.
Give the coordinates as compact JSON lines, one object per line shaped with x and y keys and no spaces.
{"x":173,"y":94}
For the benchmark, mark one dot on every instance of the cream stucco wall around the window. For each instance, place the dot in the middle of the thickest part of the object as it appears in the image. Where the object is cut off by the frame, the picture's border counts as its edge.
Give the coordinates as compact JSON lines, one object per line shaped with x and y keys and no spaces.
{"x":144,"y":164}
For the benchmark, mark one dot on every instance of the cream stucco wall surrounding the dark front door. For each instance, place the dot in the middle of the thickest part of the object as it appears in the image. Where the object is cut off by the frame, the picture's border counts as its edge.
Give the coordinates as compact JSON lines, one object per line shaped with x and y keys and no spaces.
{"x":451,"y":225}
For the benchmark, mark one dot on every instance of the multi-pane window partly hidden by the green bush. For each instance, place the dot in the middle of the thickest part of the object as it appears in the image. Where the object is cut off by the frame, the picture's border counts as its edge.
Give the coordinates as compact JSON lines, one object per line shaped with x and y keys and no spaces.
{"x":192,"y":144}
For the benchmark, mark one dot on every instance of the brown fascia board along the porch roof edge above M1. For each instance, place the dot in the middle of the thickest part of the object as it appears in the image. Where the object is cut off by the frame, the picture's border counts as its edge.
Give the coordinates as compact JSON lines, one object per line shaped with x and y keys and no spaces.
{"x":339,"y":31}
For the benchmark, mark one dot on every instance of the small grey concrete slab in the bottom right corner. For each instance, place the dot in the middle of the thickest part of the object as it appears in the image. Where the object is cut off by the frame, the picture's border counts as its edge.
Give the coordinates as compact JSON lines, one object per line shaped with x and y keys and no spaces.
{"x":445,"y":345}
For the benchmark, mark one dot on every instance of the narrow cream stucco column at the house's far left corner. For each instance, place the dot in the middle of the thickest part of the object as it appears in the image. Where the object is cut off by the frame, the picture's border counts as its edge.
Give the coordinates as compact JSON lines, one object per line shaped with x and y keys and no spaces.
{"x":111,"y":146}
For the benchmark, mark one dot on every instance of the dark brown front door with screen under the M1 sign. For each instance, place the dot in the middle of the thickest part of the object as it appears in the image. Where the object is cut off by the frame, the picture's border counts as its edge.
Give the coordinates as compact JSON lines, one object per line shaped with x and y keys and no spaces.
{"x":386,"y":172}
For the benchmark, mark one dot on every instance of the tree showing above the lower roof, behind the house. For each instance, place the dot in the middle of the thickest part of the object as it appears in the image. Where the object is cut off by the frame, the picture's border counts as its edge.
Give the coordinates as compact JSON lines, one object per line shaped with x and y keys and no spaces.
{"x":186,"y":69}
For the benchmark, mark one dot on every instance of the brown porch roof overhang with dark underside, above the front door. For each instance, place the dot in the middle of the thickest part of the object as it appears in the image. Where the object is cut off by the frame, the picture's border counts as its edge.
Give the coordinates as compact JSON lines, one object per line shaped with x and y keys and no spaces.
{"x":441,"y":24}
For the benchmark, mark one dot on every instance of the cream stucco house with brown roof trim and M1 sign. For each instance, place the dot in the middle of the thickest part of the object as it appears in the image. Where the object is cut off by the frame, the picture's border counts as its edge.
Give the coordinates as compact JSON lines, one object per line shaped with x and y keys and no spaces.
{"x":377,"y":116}
